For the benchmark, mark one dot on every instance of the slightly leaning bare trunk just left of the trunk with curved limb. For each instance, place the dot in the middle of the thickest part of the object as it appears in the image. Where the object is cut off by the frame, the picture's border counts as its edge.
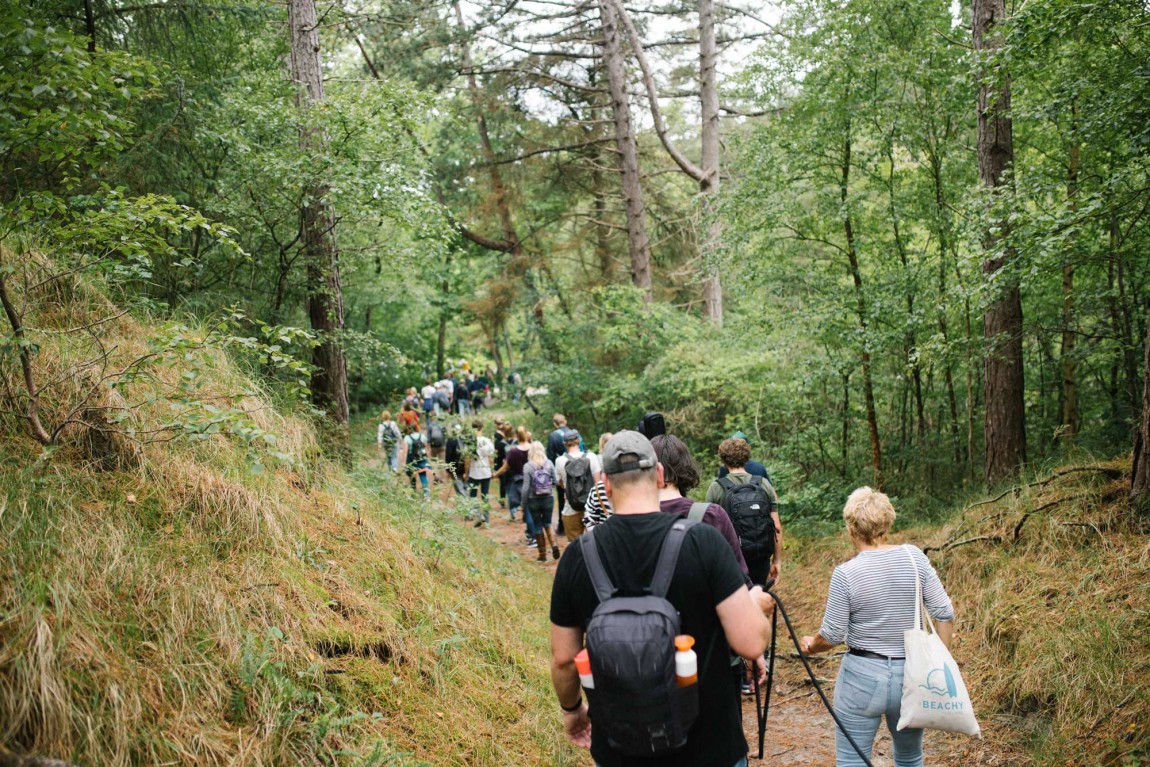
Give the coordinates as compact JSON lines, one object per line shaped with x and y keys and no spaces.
{"x":628,"y":150}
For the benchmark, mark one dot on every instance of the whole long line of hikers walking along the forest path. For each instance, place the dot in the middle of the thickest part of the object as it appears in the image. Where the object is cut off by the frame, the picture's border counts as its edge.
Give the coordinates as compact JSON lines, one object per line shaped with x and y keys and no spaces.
{"x":654,"y":582}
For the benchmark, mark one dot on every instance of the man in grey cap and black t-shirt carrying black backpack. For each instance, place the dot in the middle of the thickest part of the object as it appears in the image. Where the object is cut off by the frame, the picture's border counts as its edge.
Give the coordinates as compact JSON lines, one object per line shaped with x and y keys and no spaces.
{"x":618,"y":590}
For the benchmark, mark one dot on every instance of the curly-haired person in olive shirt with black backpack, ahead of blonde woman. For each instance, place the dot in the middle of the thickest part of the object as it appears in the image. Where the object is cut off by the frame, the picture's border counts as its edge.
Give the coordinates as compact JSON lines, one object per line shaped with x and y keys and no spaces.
{"x":754,"y":509}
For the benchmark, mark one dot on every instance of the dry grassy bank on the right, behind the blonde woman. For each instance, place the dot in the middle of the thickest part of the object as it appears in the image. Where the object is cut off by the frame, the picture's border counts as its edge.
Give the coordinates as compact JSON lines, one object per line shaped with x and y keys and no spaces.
{"x":1054,"y":628}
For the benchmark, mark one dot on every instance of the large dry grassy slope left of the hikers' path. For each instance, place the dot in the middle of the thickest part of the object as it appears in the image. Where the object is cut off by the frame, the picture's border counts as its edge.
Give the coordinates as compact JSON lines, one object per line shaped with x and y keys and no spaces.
{"x":193,"y":611}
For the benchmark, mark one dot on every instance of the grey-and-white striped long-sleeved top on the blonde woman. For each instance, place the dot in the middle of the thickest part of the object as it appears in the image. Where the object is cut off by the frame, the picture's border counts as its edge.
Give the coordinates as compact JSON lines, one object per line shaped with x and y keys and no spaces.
{"x":871,"y":601}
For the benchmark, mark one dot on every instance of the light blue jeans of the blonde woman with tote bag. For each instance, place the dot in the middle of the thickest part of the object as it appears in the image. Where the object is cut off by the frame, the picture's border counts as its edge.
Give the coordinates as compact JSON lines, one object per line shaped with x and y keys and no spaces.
{"x":867,"y":692}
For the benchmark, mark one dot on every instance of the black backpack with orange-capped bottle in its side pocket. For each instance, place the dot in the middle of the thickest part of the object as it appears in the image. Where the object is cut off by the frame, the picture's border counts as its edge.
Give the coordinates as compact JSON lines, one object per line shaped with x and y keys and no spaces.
{"x":631,"y":642}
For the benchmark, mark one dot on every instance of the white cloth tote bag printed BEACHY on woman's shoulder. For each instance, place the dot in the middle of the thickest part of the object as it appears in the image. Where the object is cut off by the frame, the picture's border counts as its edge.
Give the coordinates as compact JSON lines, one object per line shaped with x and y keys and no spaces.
{"x":934,"y":696}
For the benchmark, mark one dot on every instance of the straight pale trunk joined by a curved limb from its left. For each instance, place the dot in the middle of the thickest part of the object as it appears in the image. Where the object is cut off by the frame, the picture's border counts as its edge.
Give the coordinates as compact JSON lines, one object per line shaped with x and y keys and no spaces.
{"x":712,"y":148}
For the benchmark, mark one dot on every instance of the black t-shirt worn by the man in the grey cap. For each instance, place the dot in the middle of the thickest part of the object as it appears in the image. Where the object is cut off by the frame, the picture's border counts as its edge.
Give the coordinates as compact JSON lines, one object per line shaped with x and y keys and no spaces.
{"x":707,"y":574}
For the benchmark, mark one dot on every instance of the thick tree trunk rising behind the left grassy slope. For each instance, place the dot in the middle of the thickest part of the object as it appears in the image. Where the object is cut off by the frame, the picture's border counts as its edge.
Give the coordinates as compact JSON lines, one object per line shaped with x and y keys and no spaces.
{"x":318,"y":223}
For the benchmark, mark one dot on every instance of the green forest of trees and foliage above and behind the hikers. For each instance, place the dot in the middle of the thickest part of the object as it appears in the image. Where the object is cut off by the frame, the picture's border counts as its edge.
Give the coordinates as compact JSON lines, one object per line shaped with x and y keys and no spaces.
{"x":898,"y":243}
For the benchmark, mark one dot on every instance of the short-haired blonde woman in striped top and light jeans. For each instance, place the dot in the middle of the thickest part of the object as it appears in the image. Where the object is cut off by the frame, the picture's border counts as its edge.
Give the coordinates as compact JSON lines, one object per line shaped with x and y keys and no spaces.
{"x":871,"y":603}
